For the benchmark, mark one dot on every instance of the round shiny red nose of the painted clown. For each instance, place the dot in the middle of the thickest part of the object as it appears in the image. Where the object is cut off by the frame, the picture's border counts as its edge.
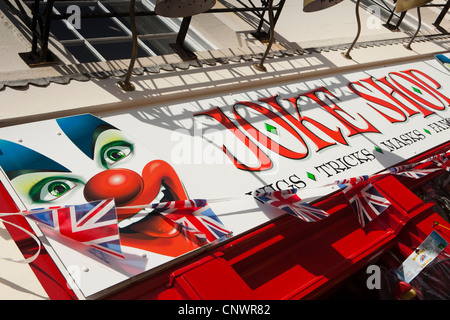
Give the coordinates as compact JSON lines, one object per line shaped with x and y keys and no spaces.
{"x":121,"y":184}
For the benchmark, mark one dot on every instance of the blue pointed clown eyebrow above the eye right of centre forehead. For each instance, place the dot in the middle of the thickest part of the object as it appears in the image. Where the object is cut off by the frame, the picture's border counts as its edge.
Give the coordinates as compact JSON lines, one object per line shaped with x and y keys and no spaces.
{"x":83,"y":130}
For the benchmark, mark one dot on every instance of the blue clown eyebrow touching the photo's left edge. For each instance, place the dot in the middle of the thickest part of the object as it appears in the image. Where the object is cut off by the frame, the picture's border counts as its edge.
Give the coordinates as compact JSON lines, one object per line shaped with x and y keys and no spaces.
{"x":16,"y":160}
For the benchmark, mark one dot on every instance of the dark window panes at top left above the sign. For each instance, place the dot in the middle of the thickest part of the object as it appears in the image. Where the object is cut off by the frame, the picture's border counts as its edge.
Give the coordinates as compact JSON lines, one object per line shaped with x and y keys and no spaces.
{"x":110,"y":38}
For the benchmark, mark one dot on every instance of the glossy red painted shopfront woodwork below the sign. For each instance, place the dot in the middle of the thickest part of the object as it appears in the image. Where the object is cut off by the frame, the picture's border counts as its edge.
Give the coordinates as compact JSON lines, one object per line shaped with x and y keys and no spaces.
{"x":286,"y":258}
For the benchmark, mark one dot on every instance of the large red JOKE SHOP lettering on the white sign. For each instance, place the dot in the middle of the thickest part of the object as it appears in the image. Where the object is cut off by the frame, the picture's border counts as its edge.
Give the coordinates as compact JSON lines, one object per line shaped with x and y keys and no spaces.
{"x":395,"y":97}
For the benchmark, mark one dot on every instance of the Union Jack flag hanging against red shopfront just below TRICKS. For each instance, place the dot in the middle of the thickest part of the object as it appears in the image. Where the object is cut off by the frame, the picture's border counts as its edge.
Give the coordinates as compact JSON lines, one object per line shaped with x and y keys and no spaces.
{"x":365,"y":199}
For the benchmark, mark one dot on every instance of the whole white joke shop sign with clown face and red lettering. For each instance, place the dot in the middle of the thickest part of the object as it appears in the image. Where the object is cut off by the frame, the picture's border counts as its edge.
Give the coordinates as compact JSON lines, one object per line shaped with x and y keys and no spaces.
{"x":302,"y":135}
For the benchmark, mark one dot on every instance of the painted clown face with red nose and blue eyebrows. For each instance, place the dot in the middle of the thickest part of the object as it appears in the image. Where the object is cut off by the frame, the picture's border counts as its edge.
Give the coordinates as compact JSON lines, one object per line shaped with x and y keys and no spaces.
{"x":108,"y":164}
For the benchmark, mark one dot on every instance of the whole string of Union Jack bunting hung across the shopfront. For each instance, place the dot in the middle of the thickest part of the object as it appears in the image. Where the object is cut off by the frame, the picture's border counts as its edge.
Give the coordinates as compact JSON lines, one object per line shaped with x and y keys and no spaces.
{"x":204,"y":226}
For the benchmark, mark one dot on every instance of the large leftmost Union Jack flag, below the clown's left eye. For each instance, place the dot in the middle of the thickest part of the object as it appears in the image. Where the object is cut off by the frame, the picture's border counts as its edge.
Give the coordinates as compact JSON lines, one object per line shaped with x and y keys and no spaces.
{"x":93,"y":224}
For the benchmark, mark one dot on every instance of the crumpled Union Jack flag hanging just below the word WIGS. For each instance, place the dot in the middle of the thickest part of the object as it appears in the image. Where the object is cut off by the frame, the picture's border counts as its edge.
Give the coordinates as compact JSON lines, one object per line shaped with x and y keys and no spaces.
{"x":290,"y":202}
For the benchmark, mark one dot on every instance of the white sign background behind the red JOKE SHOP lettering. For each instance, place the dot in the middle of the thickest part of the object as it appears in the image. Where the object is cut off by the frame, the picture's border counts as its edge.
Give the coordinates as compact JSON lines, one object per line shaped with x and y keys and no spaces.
{"x":170,"y":130}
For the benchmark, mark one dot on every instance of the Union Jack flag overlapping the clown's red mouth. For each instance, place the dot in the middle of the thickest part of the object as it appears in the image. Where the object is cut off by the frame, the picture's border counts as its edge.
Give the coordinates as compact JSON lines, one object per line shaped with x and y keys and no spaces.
{"x":196,"y":219}
